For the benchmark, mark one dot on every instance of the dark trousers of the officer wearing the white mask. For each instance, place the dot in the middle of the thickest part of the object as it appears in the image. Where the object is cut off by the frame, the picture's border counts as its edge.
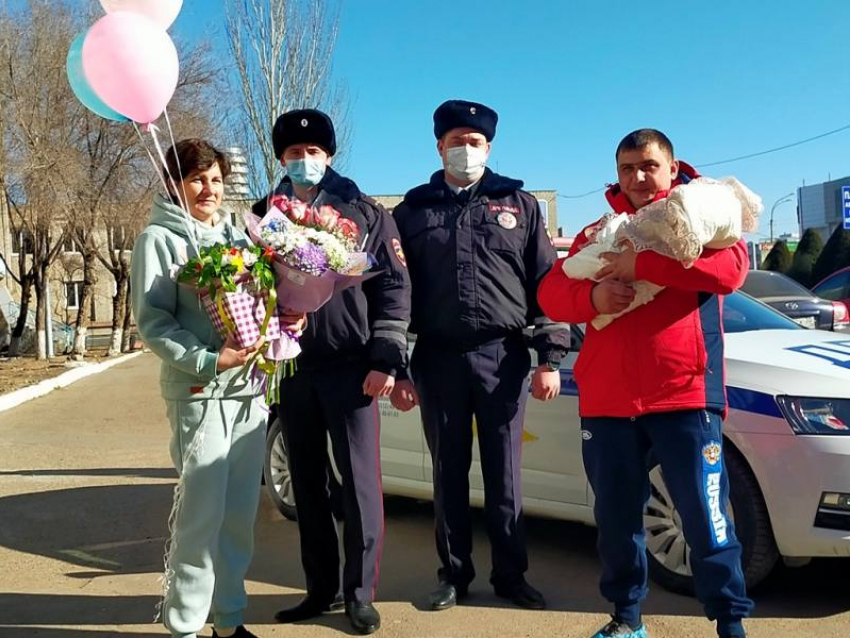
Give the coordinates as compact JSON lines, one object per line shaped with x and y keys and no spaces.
{"x":489,"y":383}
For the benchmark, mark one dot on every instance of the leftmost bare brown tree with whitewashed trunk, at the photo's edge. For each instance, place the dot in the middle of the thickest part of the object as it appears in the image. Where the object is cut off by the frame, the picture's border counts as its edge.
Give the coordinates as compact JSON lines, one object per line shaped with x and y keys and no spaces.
{"x":39,"y":124}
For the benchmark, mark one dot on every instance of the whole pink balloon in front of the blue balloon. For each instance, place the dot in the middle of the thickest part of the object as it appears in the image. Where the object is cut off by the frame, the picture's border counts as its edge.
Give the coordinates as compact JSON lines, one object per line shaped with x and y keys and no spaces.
{"x":131,"y":64}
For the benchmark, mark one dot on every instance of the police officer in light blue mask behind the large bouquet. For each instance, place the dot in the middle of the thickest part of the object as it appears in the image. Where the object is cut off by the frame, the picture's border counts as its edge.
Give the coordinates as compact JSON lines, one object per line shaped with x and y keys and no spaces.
{"x":352,"y":348}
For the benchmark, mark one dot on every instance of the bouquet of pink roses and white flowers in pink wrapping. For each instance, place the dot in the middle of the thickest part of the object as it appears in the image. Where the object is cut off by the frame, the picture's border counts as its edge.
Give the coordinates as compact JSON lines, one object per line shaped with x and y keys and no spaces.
{"x":315,"y":252}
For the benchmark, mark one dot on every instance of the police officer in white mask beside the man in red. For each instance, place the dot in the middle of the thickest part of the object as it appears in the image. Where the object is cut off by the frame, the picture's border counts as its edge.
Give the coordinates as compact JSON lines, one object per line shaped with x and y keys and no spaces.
{"x":476,"y":247}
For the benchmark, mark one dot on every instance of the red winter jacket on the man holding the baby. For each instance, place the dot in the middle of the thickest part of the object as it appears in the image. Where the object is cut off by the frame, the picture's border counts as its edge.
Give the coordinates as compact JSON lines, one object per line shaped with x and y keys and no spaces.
{"x":663,"y":356}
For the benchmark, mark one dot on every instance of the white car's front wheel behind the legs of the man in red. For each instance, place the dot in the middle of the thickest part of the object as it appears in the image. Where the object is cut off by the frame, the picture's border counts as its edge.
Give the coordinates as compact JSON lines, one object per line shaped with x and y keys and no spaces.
{"x":668,"y":554}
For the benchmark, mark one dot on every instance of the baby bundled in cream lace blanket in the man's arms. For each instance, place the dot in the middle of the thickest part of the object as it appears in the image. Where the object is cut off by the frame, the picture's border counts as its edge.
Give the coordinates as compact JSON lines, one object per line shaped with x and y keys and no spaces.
{"x":704,"y":213}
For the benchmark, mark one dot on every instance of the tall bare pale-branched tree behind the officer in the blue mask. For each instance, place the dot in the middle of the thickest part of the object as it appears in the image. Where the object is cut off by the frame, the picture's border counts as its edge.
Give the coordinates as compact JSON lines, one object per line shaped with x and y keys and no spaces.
{"x":282,"y":50}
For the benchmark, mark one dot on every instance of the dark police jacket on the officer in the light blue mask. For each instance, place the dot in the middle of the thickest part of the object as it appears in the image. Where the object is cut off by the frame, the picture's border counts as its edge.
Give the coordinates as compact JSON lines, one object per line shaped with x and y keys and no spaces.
{"x":368,"y":321}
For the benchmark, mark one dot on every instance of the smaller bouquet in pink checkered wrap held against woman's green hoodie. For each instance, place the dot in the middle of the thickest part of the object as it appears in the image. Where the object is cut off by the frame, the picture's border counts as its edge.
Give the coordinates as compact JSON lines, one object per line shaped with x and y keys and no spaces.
{"x":237,"y":287}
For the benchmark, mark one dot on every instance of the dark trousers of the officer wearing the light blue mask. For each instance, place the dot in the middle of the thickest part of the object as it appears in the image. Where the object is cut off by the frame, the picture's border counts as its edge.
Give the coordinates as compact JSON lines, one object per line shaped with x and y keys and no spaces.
{"x":313,"y":405}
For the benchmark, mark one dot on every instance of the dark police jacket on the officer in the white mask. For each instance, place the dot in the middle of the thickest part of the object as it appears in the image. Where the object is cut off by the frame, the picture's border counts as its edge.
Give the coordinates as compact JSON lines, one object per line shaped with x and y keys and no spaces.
{"x":475,"y":267}
